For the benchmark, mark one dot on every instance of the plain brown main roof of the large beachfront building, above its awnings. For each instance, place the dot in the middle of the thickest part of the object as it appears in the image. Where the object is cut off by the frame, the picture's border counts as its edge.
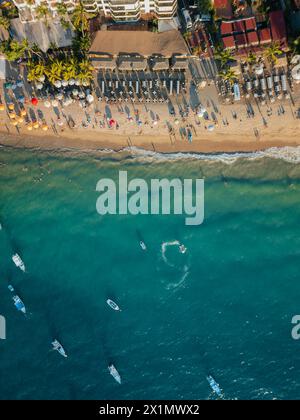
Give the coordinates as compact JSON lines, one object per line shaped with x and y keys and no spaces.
{"x":139,"y":43}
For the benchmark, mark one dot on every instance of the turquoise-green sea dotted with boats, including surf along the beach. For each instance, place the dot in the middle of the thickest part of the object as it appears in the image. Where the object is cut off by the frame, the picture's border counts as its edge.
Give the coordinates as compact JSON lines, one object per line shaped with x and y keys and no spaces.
{"x":224,"y":307}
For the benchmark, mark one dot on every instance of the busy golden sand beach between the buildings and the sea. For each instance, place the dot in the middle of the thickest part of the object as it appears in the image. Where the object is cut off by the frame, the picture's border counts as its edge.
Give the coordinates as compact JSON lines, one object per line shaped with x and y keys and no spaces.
{"x":152,"y":127}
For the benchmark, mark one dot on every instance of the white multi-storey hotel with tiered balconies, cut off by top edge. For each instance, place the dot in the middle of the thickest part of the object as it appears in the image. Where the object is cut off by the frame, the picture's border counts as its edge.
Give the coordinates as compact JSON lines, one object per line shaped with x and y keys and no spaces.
{"x":117,"y":10}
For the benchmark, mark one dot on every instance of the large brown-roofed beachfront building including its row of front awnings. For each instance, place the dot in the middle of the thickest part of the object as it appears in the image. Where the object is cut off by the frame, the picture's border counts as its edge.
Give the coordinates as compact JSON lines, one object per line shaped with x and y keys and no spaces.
{"x":139,"y":51}
